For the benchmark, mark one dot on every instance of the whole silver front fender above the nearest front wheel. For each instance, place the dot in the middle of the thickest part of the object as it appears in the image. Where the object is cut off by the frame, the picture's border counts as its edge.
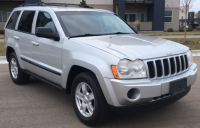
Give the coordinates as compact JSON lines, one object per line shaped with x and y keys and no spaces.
{"x":93,"y":59}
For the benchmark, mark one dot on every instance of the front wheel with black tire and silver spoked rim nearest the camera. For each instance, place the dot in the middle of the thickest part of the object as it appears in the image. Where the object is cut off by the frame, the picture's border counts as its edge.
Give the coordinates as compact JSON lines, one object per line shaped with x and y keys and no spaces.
{"x":88,"y":100}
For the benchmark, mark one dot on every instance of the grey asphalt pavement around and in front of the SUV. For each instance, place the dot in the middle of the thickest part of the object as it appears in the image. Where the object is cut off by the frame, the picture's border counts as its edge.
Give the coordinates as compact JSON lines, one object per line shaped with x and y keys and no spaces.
{"x":38,"y":105}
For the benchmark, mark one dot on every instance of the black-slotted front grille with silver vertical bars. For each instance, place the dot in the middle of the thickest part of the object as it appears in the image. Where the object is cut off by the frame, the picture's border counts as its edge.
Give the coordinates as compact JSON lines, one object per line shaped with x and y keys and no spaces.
{"x":164,"y":67}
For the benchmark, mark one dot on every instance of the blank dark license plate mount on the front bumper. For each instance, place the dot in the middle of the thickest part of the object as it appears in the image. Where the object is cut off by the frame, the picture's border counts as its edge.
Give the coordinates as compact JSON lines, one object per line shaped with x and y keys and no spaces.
{"x":178,"y":86}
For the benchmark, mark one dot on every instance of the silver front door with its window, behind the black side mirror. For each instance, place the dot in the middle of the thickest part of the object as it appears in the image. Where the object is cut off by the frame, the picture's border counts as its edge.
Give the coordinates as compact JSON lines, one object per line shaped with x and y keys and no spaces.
{"x":47,"y":52}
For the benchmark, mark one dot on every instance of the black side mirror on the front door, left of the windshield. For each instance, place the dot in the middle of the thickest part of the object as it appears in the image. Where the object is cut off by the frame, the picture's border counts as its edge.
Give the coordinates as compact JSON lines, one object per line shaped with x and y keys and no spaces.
{"x":47,"y":33}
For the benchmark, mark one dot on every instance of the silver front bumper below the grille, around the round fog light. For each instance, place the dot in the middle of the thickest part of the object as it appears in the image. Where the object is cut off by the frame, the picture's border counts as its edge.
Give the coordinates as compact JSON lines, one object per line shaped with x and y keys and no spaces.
{"x":115,"y":90}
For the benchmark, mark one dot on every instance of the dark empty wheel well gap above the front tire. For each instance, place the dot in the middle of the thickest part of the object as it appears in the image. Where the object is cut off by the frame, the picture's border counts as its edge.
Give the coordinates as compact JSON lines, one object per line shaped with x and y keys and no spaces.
{"x":74,"y":71}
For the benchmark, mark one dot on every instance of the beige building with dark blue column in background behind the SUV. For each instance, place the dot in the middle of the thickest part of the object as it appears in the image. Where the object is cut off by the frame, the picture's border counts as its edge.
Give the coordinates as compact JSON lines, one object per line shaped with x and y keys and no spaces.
{"x":154,"y":15}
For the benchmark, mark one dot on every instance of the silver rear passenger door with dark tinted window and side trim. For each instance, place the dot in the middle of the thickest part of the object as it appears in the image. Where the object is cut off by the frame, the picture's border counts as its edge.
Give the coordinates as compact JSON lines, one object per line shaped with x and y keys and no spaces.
{"x":23,"y":35}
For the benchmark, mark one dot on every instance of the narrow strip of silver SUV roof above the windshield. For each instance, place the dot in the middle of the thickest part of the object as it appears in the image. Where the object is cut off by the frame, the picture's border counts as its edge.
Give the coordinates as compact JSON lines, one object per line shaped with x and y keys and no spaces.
{"x":61,"y":8}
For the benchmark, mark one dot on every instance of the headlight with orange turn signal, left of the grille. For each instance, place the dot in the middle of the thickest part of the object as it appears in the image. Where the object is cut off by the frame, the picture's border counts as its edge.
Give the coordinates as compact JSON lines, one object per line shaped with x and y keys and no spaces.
{"x":127,"y":69}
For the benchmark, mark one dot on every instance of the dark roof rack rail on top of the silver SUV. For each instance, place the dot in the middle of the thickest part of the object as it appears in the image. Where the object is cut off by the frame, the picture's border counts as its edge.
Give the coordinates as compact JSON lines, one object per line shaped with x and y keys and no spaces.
{"x":55,"y":4}
